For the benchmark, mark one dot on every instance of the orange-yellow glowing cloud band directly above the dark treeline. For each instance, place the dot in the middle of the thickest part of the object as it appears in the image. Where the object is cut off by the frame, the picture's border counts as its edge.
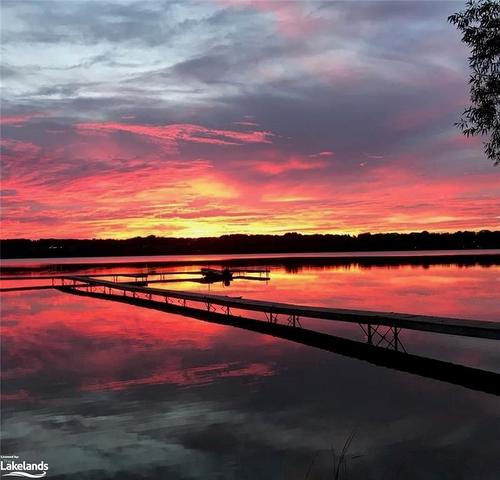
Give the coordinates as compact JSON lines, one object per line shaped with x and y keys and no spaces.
{"x":195,"y":198}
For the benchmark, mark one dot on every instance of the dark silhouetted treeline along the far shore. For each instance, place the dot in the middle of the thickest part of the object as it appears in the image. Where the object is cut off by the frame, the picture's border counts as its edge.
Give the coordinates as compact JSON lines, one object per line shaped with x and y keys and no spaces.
{"x":288,"y":243}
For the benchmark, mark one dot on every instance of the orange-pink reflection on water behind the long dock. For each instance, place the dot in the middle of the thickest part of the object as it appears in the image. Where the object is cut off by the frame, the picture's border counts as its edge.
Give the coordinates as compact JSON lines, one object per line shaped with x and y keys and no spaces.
{"x":436,"y":290}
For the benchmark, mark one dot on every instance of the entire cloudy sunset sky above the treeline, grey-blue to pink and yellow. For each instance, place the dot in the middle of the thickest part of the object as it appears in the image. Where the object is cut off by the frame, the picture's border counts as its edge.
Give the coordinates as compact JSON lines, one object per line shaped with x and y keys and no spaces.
{"x":125,"y":118}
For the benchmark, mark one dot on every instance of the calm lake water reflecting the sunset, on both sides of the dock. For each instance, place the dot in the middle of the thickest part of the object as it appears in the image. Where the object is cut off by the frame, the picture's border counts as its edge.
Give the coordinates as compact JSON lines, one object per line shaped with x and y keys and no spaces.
{"x":105,"y":390}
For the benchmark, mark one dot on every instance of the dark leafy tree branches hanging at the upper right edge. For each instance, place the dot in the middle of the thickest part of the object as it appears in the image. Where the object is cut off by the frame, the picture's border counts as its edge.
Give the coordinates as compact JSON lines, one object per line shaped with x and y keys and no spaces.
{"x":479,"y":23}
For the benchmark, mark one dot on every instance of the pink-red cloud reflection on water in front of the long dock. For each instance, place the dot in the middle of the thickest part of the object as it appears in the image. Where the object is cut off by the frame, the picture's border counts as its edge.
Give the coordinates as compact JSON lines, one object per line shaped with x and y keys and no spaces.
{"x":106,"y":346}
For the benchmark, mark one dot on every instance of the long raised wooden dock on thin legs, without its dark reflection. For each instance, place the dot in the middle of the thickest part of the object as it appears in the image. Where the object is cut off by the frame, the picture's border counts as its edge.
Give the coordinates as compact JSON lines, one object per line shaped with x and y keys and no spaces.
{"x":293,"y":313}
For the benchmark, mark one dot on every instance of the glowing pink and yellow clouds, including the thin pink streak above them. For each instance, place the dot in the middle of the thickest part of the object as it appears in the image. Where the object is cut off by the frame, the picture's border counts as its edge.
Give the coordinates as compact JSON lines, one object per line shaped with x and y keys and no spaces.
{"x":132,"y":188}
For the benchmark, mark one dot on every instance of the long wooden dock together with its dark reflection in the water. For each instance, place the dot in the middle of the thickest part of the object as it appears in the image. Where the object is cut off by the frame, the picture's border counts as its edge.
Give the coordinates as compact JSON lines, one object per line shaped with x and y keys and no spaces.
{"x":283,"y":320}
